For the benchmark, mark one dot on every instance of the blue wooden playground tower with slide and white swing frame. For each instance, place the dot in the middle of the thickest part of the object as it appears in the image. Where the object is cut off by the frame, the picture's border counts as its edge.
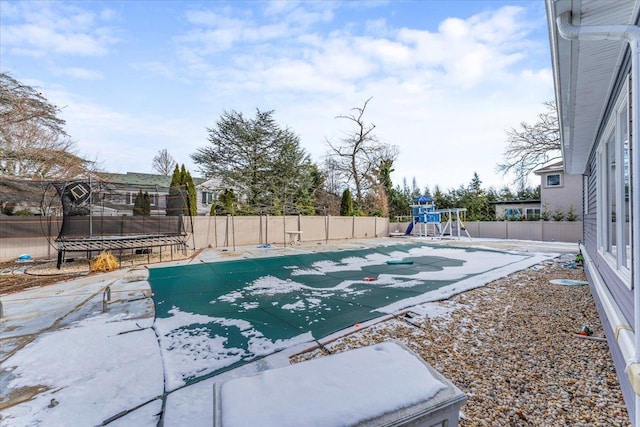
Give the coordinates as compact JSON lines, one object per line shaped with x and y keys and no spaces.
{"x":427,"y":221}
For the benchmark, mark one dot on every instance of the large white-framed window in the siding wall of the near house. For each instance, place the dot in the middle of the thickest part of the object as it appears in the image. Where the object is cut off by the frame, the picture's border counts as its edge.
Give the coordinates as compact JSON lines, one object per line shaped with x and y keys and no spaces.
{"x":614,"y":205}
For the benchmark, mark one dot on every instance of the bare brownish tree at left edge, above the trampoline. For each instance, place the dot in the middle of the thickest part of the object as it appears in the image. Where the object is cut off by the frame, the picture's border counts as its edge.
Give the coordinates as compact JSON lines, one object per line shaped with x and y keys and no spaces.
{"x":33,"y":142}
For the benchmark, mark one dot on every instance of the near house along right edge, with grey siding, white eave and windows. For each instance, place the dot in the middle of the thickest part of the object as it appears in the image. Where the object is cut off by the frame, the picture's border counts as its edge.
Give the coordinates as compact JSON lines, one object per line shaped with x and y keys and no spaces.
{"x":596,"y":69}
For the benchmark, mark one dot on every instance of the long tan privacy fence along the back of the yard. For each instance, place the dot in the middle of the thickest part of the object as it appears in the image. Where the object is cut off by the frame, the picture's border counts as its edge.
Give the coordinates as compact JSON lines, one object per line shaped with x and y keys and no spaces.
{"x":34,"y":236}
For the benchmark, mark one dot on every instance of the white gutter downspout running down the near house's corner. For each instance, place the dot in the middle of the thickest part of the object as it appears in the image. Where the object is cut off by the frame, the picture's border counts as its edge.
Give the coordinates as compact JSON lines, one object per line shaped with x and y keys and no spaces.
{"x":630,"y":34}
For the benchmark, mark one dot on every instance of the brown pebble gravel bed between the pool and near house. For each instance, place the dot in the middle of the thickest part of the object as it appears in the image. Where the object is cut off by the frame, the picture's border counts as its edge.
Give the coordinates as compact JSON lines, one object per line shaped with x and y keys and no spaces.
{"x":513,"y":347}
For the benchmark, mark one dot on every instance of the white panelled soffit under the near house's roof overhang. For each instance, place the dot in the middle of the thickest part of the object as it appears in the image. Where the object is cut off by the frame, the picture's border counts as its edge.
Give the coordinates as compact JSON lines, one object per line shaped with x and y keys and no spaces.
{"x":584,"y":73}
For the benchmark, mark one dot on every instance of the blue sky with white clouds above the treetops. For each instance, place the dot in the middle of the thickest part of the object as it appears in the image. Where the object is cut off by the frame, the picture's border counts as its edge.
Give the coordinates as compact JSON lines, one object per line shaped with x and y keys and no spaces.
{"x":447,"y":79}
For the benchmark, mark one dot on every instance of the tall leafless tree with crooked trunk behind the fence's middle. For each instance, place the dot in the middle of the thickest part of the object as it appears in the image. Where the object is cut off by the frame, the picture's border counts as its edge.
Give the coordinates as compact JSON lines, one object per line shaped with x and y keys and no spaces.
{"x":357,"y":156}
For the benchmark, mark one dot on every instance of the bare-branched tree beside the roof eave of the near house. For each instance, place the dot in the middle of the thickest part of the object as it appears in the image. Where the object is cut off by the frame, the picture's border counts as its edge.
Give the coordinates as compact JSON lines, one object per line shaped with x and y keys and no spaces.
{"x":532,"y":145}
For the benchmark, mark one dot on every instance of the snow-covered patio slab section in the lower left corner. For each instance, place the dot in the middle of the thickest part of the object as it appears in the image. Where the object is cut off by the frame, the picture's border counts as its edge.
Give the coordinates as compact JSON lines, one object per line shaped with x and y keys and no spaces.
{"x":89,"y":371}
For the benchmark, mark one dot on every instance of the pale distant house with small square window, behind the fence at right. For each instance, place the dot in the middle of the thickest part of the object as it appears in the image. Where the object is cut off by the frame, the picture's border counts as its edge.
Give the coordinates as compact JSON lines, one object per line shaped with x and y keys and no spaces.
{"x":560,"y":191}
